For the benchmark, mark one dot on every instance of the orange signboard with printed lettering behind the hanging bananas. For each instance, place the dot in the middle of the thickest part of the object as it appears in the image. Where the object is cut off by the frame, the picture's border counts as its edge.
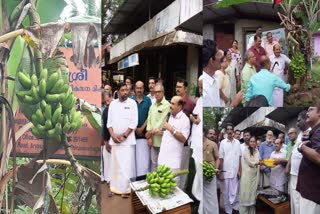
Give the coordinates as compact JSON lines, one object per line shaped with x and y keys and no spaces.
{"x":85,"y":143}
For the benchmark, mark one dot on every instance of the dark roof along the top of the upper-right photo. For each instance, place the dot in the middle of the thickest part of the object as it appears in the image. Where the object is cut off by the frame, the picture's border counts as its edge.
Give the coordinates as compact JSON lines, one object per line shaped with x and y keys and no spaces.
{"x":250,"y":10}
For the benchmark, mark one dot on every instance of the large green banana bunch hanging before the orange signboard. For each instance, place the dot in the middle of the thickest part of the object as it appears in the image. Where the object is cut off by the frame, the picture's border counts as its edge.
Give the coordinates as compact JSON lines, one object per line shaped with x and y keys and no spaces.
{"x":57,"y":114}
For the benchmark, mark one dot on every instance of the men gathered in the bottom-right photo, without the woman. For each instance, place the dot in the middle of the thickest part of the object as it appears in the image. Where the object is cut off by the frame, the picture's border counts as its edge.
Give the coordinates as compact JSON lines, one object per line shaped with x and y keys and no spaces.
{"x":297,"y":164}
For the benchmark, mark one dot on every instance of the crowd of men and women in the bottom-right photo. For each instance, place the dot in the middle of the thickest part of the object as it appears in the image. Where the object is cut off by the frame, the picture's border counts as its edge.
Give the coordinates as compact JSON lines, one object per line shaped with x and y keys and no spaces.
{"x":242,"y":170}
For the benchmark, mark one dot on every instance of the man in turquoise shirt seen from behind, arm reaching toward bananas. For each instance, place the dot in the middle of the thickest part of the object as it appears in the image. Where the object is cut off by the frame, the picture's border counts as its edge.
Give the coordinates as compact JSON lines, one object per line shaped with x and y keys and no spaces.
{"x":264,"y":82}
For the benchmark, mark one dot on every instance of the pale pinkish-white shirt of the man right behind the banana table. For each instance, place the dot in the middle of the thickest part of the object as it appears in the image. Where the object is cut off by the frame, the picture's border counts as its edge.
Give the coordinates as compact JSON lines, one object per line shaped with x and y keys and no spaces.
{"x":171,"y":149}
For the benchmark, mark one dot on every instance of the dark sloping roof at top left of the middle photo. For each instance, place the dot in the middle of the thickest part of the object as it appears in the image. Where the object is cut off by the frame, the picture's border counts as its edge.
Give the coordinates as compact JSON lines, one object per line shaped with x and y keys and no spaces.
{"x":134,"y":13}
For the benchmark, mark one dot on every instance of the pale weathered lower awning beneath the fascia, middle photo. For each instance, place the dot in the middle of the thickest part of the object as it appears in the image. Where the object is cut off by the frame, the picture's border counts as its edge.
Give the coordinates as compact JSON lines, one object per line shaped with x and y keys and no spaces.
{"x":172,"y":38}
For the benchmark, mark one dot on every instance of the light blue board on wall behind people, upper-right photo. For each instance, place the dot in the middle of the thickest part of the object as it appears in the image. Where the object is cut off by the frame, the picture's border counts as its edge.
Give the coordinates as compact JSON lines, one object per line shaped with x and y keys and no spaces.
{"x":278,"y":35}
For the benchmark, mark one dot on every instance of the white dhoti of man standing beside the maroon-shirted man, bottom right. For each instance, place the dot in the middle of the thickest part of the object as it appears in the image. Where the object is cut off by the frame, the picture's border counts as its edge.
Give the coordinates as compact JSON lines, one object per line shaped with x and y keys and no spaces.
{"x":294,"y":195}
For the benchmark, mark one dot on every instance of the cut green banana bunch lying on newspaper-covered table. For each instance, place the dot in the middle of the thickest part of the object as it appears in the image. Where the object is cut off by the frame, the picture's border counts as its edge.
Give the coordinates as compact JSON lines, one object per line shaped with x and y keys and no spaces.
{"x":161,"y":182}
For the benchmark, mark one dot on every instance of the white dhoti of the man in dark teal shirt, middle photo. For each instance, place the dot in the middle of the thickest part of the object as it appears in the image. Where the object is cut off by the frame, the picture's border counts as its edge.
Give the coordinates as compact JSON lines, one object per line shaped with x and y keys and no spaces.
{"x":142,"y":157}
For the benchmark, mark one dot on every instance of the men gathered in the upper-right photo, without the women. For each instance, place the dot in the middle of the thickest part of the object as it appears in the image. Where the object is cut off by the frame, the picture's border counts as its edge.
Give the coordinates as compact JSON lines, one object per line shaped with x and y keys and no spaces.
{"x":263,"y":77}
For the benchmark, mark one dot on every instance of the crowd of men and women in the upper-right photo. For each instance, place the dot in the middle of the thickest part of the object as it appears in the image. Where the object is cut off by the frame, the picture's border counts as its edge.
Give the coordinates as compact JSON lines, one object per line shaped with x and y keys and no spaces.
{"x":260,"y":82}
